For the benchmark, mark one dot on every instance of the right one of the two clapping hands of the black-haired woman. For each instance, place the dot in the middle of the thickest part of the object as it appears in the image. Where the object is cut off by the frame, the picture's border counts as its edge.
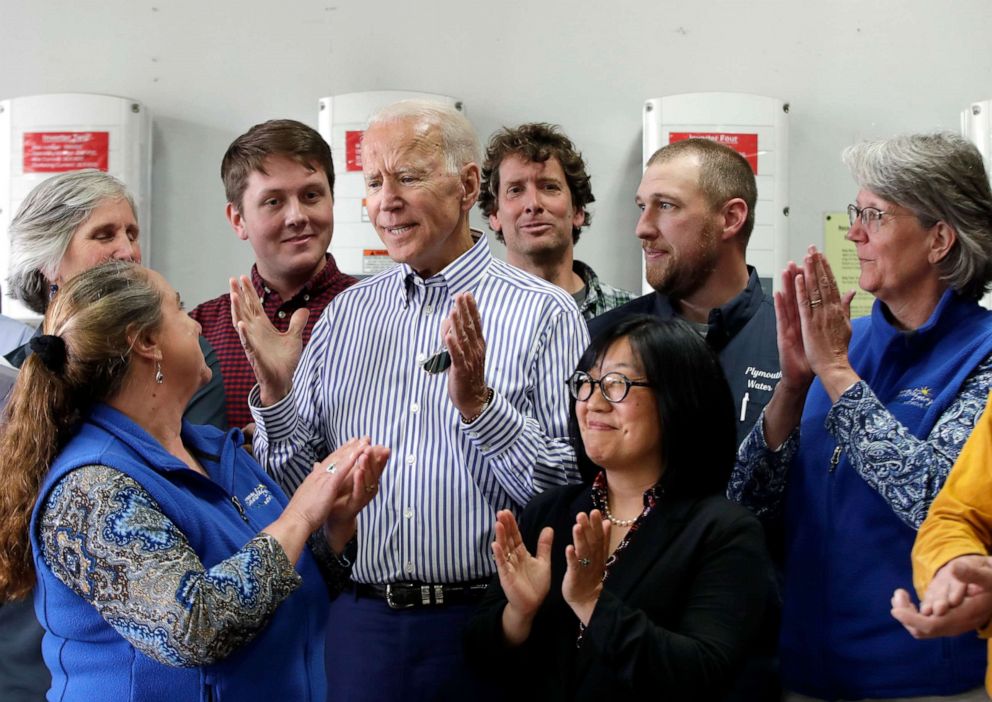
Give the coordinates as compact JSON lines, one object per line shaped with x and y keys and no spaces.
{"x":585,"y":559}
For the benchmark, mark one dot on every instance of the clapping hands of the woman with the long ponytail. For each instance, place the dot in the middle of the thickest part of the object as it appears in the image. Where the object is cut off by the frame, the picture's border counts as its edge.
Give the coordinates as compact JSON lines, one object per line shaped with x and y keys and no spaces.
{"x":364,"y":463}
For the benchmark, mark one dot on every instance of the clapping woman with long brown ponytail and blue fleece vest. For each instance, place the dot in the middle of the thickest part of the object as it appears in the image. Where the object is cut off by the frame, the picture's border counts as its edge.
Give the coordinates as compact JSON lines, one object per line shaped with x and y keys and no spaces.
{"x":168,"y":565}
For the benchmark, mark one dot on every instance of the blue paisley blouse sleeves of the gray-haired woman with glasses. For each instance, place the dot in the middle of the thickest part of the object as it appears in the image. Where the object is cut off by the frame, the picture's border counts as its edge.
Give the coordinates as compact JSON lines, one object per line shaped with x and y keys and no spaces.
{"x":906,"y":471}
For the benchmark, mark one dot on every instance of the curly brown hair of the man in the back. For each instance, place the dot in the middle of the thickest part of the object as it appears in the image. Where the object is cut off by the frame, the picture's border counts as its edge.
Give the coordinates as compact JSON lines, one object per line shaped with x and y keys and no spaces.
{"x":536,"y":142}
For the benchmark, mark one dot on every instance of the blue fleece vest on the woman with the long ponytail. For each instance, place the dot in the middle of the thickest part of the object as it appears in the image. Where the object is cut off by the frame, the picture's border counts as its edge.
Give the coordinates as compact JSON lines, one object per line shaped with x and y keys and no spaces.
{"x":89,"y":660}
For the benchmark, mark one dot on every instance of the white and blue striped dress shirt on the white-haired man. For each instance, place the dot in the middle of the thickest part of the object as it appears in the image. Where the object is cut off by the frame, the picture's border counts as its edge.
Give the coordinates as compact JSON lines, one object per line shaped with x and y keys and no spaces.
{"x":433,"y":518}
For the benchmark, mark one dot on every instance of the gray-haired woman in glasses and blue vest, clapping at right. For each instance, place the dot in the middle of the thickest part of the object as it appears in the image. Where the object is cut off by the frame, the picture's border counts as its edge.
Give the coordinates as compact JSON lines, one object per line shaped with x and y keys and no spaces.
{"x":883,"y":406}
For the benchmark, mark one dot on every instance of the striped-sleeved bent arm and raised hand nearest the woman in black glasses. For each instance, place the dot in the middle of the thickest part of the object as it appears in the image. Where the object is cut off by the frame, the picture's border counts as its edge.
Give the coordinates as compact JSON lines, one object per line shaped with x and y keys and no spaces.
{"x":527,"y":452}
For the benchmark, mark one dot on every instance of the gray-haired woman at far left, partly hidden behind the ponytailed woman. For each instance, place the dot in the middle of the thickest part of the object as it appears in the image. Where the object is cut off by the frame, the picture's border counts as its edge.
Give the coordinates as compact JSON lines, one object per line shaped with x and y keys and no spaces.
{"x":68,"y":224}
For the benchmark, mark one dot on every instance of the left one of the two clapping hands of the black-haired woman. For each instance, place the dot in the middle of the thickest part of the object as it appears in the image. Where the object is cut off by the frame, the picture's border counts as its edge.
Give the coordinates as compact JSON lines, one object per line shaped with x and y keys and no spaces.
{"x":525,"y":579}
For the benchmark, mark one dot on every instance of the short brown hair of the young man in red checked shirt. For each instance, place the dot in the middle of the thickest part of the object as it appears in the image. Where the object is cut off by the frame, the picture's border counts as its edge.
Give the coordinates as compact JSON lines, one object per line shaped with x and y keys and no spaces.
{"x":277,"y":137}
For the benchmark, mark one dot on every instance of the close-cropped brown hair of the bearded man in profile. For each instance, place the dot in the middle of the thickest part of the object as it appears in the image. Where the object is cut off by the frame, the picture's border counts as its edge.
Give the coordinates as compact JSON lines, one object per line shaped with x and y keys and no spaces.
{"x":723,"y":175}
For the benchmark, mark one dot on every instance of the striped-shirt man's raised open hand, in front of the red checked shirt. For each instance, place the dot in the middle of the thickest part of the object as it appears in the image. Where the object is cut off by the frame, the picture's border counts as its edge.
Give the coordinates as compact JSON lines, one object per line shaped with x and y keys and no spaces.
{"x":273,"y":355}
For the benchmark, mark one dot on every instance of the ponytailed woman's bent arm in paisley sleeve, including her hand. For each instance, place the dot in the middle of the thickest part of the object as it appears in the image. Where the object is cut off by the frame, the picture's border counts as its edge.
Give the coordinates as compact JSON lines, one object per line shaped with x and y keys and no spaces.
{"x":152,"y":580}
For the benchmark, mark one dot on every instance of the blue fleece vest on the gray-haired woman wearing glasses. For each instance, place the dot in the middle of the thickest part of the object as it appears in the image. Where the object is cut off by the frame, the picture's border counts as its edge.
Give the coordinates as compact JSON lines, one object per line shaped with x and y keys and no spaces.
{"x":847,"y":550}
